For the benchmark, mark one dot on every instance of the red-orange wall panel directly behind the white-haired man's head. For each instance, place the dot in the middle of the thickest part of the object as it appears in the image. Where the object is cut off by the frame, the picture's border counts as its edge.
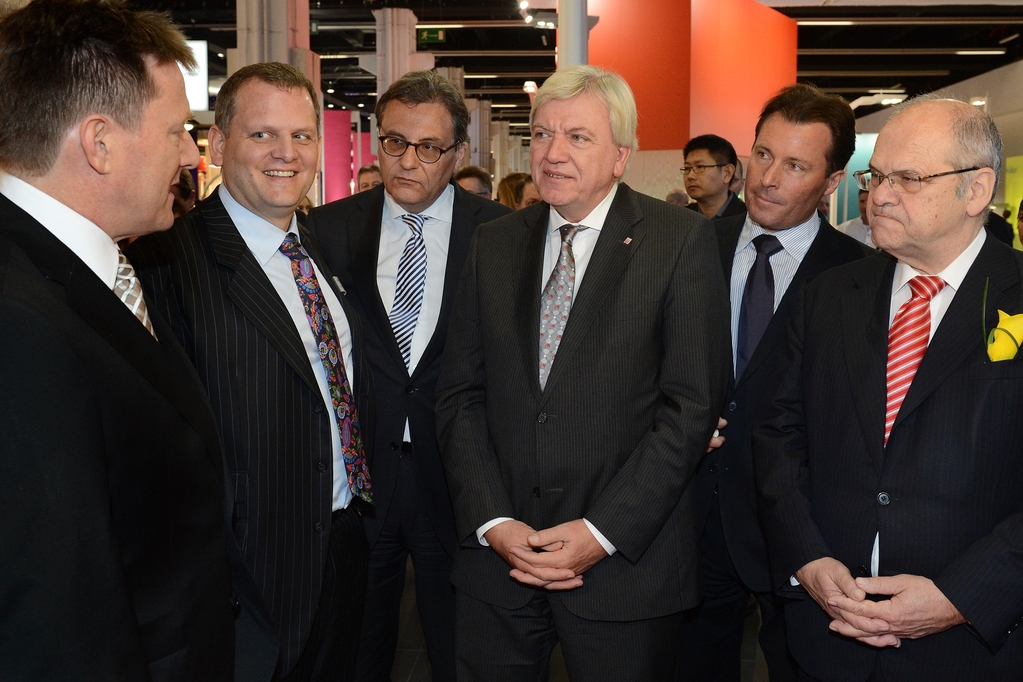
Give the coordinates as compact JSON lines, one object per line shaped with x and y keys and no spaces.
{"x":648,"y":43}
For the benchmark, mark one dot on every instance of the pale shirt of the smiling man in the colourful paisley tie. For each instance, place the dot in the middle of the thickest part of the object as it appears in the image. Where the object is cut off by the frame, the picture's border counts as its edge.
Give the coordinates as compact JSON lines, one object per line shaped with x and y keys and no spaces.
{"x":264,"y":241}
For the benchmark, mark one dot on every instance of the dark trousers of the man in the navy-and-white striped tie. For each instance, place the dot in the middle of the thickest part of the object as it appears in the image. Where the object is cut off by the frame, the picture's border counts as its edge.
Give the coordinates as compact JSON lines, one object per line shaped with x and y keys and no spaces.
{"x":408,"y":530}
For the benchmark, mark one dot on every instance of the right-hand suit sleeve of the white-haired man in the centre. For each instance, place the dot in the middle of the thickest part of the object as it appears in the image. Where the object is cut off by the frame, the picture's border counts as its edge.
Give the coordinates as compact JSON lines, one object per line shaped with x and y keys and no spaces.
{"x":696,"y":348}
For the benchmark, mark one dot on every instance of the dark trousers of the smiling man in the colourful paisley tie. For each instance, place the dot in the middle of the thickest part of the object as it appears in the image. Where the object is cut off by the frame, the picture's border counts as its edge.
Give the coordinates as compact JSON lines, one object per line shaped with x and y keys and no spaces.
{"x":331,"y":650}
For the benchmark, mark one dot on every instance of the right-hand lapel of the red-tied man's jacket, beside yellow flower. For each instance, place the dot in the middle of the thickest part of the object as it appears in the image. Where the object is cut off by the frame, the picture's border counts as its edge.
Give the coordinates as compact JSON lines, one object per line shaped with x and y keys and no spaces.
{"x":960,"y":333}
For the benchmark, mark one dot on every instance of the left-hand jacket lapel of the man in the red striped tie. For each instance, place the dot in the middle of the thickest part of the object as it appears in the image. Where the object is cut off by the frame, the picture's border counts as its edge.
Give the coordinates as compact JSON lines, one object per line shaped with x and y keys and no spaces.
{"x":865,"y":323}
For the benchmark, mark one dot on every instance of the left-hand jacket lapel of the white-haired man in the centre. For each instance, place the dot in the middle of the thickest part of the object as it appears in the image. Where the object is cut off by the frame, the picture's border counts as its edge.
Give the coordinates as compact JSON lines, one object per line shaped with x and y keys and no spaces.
{"x":528,"y":288}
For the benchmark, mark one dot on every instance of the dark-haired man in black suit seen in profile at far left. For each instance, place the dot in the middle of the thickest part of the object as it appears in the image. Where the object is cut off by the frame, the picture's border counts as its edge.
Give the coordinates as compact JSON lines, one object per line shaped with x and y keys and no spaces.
{"x":113,"y":549}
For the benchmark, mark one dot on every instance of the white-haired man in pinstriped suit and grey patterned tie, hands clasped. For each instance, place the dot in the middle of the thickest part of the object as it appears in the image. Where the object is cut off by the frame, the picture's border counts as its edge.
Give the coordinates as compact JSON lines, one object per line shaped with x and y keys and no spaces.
{"x":573,"y":473}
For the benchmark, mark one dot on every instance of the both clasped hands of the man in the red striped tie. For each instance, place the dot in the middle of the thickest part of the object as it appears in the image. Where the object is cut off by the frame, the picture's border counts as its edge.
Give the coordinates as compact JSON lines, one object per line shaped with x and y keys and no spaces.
{"x":917,"y":607}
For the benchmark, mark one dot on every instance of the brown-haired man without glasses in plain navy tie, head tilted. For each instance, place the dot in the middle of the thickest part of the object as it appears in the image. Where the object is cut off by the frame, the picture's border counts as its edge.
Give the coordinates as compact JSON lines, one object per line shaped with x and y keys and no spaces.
{"x":800,"y":128}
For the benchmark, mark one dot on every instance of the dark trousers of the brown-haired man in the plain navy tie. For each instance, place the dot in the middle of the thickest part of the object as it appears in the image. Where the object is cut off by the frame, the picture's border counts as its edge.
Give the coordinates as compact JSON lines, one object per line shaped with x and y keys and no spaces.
{"x":713,"y":635}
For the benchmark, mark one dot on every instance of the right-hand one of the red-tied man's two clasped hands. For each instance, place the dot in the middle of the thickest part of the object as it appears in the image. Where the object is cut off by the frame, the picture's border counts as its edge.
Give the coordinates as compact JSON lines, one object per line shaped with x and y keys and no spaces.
{"x":917,"y":609}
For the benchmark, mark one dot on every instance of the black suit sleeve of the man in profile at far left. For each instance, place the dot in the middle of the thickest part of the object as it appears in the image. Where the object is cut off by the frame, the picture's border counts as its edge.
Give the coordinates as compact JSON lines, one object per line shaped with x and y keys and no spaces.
{"x":67,"y":610}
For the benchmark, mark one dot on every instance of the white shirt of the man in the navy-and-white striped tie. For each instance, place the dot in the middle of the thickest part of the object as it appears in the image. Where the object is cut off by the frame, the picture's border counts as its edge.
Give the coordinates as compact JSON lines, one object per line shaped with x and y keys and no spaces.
{"x":436,"y":237}
